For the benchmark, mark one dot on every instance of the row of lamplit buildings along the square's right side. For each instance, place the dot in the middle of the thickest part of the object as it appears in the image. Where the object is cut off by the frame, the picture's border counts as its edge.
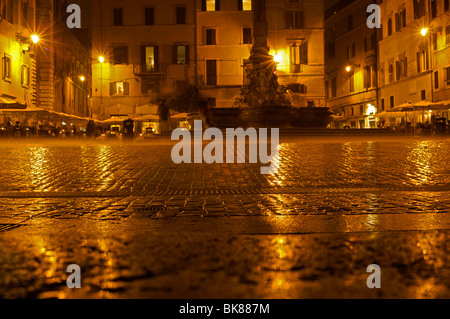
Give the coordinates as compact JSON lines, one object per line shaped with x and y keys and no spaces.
{"x":374,"y":76}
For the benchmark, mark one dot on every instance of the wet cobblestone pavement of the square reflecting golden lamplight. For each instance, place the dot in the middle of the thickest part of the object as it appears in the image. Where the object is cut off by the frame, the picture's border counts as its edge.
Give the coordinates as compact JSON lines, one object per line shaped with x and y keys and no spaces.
{"x":140,"y":226}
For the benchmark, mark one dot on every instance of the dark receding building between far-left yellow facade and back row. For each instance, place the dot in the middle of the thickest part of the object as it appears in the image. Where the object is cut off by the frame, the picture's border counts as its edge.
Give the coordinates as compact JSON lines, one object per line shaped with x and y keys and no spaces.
{"x":63,"y":62}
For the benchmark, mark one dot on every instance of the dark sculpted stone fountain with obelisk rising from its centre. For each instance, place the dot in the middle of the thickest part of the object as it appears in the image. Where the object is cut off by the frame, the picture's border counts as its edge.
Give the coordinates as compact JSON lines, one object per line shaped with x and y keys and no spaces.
{"x":262,"y":100}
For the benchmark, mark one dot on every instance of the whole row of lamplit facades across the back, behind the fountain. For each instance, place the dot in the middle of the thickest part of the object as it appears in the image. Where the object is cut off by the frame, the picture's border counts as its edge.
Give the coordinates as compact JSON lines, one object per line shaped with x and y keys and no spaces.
{"x":152,"y":48}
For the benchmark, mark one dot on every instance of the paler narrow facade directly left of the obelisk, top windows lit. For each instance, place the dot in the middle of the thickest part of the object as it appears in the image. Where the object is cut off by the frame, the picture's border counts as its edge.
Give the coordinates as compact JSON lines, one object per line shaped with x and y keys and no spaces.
{"x":224,"y":41}
